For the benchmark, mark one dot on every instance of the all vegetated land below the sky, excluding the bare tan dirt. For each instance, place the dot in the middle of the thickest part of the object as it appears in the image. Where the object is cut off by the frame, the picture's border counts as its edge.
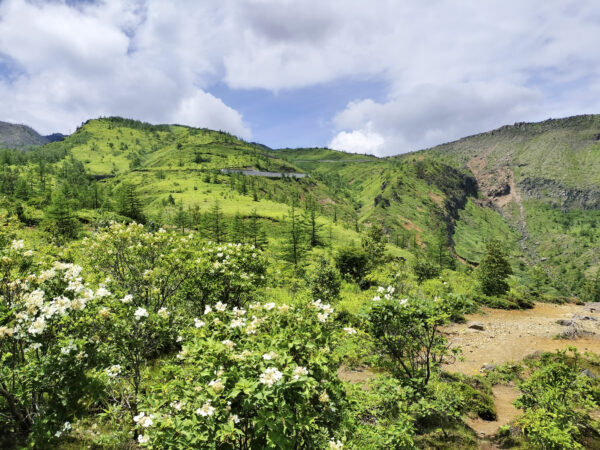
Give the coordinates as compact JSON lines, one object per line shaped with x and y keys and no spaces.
{"x":164,"y":286}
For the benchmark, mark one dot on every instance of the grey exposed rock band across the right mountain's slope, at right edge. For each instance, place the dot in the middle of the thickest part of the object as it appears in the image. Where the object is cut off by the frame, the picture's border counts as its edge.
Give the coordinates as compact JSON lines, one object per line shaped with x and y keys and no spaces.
{"x":540,"y":188}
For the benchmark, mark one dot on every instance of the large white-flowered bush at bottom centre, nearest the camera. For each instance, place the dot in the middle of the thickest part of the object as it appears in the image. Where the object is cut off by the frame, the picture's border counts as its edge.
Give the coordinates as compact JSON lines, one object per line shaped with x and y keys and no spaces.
{"x":249,"y":379}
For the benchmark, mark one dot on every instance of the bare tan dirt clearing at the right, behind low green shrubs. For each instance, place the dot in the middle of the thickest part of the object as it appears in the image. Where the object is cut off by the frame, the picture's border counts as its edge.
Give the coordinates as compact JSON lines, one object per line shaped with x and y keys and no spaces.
{"x":512,"y":335}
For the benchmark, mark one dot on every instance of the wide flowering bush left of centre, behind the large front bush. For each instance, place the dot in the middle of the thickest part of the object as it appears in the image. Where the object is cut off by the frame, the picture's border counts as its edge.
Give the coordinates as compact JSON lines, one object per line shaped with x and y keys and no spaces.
{"x":165,"y":269}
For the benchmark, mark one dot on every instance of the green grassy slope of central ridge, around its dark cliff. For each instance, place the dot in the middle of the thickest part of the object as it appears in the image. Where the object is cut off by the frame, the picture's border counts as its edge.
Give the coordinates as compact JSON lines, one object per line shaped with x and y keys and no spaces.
{"x":418,"y":192}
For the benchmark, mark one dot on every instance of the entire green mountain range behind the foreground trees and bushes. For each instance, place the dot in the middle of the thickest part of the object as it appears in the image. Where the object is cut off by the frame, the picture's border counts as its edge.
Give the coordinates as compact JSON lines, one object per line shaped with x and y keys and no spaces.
{"x":534,"y":187}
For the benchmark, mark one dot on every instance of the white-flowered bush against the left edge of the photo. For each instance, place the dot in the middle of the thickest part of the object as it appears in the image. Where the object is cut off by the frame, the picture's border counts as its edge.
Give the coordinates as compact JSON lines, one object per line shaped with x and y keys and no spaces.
{"x":46,"y":344}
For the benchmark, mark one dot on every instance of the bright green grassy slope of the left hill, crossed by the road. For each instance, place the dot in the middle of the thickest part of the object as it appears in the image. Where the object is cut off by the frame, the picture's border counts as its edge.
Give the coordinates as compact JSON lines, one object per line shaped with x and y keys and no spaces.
{"x":175,"y":161}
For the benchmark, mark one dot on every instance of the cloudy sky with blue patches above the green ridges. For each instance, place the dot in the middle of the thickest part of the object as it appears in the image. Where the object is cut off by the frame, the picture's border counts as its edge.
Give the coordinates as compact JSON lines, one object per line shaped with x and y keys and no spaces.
{"x":377,"y":76}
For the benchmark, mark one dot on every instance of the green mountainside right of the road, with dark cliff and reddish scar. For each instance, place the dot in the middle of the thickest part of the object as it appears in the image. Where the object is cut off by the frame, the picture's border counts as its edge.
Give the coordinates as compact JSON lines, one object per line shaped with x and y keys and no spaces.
{"x":534,"y":186}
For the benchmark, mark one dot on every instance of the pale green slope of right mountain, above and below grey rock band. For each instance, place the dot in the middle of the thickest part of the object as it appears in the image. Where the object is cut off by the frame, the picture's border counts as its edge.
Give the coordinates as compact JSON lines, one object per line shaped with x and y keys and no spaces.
{"x":565,"y":153}
